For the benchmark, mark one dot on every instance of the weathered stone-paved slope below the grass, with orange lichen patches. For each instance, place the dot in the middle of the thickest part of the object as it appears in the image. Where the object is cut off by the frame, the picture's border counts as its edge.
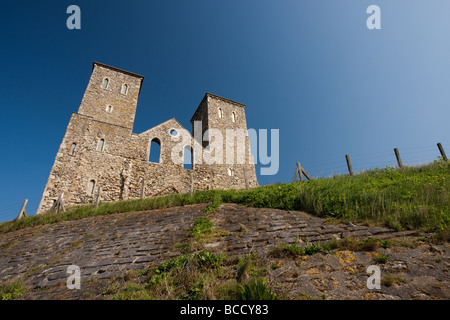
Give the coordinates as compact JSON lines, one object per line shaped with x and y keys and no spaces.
{"x":110,"y":246}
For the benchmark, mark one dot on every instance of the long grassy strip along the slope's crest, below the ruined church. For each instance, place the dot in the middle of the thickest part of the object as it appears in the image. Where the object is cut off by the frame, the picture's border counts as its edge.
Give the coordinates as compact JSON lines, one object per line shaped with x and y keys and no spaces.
{"x":408,"y":198}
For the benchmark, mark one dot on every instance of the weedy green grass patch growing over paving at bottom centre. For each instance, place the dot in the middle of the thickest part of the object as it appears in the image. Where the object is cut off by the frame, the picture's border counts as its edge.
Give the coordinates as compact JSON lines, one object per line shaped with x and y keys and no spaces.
{"x":198,"y":276}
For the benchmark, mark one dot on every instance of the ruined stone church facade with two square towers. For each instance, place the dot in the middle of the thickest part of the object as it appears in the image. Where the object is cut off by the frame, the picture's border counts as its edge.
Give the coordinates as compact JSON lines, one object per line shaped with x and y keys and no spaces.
{"x":99,"y":148}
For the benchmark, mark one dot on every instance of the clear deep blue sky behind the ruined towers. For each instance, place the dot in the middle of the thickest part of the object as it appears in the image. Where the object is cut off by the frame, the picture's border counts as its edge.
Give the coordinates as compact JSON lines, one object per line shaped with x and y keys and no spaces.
{"x":311,"y":69}
